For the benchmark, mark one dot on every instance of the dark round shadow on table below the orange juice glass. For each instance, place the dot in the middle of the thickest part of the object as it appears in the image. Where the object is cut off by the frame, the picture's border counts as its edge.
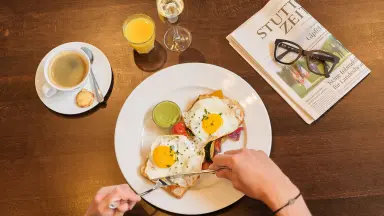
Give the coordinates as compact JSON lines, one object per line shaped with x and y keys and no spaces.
{"x":152,"y":61}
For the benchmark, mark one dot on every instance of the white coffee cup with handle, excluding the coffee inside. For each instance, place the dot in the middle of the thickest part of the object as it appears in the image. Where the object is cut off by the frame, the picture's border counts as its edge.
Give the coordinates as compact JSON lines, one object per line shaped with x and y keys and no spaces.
{"x":50,"y":88}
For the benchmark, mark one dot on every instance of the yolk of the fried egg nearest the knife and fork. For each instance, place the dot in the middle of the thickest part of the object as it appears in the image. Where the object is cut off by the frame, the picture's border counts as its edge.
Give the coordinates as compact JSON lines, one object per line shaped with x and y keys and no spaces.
{"x":164,"y":156}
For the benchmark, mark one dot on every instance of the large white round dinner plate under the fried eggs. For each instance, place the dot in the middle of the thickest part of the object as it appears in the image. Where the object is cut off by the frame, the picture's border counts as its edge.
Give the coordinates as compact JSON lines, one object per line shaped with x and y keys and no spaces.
{"x":182,"y":84}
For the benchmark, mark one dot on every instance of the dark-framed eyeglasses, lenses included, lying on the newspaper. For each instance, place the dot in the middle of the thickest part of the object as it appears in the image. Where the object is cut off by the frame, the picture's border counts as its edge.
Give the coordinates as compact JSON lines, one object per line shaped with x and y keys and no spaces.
{"x":318,"y":61}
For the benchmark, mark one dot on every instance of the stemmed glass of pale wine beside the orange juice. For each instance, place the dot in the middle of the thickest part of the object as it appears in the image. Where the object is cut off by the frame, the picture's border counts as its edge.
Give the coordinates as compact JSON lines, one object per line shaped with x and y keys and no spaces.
{"x":176,"y":38}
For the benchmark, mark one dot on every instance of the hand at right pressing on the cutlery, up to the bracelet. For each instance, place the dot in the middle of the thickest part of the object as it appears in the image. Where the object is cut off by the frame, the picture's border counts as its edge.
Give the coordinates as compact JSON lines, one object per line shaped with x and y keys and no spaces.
{"x":256,"y":175}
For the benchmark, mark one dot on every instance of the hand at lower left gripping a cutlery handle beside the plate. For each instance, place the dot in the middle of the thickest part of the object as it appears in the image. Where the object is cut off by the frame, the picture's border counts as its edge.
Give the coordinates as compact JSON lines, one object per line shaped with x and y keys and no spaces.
{"x":107,"y":195}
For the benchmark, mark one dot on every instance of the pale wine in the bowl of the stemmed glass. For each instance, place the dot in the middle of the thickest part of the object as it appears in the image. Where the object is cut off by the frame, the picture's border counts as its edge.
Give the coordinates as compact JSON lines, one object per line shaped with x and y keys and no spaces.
{"x":170,"y":9}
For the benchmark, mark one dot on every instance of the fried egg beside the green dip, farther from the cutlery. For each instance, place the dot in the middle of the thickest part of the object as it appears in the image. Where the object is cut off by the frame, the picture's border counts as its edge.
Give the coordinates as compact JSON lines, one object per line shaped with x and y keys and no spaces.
{"x":211,"y":118}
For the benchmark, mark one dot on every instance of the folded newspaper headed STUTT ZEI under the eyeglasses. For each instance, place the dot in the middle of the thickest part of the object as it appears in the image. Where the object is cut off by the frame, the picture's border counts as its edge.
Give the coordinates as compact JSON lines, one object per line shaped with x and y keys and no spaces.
{"x":310,"y":95}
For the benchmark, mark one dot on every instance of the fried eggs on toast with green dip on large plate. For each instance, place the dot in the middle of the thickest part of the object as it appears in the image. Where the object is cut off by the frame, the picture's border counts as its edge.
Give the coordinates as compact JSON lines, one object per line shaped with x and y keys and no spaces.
{"x":194,"y":140}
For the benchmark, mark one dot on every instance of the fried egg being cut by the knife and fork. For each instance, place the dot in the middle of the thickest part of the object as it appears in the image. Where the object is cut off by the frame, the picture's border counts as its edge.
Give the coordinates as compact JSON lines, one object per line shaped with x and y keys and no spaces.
{"x":174,"y":154}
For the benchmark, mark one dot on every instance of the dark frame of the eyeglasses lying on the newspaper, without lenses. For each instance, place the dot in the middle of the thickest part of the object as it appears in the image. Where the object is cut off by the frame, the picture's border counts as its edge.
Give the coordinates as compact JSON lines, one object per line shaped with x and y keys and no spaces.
{"x":308,"y":54}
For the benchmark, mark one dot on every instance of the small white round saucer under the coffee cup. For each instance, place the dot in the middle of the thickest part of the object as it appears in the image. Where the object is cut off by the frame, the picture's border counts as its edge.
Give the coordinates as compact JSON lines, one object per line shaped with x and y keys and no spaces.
{"x":65,"y":102}
